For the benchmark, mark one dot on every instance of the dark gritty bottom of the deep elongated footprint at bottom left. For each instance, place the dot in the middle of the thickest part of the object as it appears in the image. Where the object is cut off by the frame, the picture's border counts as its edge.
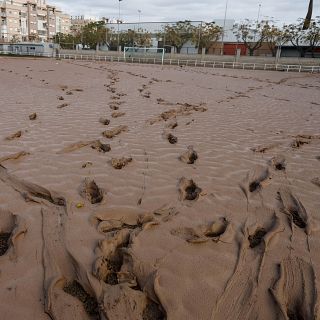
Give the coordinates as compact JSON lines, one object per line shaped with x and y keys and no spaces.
{"x":90,"y":304}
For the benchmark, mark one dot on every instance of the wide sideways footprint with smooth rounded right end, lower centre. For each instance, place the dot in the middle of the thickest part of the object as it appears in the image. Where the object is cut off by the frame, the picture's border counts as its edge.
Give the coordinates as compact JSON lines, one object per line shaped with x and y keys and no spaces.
{"x":204,"y":233}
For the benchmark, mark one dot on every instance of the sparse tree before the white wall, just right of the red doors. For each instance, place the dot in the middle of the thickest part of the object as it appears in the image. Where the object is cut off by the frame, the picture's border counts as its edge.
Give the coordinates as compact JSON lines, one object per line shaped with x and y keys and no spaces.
{"x":251,"y":33}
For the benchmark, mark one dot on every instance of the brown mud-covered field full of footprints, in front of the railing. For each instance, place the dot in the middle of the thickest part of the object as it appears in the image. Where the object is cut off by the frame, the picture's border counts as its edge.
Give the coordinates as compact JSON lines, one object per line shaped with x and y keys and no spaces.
{"x":147,"y":192}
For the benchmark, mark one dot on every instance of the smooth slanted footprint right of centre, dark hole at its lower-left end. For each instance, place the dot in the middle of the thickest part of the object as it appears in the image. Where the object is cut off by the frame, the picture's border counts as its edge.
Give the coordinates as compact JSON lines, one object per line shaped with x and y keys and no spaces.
{"x":255,"y":179}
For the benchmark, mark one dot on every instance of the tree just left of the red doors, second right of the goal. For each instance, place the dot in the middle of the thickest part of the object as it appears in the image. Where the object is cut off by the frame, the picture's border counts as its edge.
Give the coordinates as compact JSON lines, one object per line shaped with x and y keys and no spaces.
{"x":205,"y":35}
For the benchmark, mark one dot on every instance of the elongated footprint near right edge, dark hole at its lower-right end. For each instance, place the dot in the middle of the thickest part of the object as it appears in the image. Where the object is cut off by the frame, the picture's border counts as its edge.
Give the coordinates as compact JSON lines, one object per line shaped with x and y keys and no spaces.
{"x":292,"y":207}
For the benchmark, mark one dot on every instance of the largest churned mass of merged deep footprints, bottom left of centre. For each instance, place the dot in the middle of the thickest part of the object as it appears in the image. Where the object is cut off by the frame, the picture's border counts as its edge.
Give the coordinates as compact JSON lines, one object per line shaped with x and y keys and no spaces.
{"x":116,"y":267}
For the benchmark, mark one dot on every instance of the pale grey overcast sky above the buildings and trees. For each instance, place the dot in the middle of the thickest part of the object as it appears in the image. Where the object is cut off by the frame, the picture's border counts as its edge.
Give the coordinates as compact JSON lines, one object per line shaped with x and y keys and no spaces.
{"x":173,"y":10}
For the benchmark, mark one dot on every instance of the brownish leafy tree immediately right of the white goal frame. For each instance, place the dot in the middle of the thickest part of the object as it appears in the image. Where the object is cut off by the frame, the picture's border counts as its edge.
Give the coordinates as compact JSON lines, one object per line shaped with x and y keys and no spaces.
{"x":177,"y":35}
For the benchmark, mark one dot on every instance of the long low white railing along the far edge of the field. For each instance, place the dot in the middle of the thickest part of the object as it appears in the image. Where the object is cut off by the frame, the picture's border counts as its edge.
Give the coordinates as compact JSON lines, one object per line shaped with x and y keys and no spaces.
{"x":177,"y":62}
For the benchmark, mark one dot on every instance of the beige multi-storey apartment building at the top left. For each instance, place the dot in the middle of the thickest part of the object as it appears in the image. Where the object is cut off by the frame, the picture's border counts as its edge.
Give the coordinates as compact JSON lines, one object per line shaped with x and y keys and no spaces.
{"x":28,"y":20}
